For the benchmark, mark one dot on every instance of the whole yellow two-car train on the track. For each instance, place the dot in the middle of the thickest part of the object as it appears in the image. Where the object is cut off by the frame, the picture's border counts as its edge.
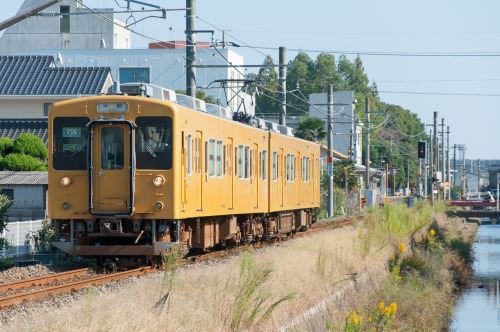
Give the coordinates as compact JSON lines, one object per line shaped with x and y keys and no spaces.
{"x":131,"y":175}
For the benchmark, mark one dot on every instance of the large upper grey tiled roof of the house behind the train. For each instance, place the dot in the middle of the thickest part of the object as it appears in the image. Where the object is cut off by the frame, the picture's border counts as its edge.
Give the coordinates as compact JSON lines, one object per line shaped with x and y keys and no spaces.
{"x":37,"y":75}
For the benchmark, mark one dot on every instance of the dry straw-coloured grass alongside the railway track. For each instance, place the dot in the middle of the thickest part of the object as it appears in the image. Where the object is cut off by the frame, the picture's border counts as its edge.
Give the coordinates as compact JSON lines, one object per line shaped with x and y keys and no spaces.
{"x":203,"y":296}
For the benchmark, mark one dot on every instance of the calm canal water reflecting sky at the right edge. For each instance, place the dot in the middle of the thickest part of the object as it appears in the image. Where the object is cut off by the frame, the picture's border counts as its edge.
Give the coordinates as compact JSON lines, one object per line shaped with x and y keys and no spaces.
{"x":479,"y":307}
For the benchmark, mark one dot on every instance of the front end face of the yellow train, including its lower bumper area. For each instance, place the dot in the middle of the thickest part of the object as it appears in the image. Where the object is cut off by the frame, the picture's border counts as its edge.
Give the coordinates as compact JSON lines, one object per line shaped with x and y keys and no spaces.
{"x":111,"y":177}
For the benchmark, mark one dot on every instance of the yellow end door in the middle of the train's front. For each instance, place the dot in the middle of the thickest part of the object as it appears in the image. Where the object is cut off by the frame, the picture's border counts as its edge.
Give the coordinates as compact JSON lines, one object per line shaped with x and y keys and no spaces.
{"x":111,"y":164}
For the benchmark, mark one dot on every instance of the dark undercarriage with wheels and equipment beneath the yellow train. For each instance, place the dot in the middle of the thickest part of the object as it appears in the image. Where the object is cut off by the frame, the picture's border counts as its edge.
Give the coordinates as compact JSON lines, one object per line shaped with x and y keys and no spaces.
{"x":133,"y":238}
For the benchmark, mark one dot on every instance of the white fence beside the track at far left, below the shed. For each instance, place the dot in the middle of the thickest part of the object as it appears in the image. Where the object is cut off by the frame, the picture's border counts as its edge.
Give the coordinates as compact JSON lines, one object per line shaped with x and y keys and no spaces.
{"x":15,"y":233}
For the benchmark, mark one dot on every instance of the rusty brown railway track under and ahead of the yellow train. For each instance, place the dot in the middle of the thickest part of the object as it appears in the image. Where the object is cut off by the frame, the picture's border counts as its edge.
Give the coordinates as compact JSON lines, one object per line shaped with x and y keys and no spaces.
{"x":37,"y":288}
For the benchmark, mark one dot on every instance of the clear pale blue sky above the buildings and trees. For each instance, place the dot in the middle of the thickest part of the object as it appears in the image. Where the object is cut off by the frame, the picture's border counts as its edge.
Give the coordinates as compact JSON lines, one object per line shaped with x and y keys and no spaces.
{"x":384,"y":26}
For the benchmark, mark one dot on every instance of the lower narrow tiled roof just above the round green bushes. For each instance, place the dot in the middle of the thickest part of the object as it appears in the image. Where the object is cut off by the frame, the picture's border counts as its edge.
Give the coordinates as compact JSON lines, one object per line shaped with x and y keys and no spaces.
{"x":12,"y":128}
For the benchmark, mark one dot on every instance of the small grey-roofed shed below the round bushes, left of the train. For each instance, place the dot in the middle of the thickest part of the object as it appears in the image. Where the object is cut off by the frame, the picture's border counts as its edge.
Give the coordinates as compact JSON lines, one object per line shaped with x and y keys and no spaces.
{"x":28,"y":192}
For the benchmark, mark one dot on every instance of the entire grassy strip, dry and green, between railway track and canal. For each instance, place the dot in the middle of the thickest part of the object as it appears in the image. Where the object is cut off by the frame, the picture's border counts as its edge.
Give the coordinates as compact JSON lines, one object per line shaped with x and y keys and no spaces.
{"x":269,"y":288}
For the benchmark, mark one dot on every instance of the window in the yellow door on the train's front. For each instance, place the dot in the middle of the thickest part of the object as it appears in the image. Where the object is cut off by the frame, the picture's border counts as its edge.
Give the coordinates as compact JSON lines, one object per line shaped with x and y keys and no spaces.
{"x":112,"y":148}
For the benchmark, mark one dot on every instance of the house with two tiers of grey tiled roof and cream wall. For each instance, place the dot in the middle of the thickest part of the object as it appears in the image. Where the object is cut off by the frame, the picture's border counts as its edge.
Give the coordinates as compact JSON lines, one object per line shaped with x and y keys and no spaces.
{"x":30,"y":84}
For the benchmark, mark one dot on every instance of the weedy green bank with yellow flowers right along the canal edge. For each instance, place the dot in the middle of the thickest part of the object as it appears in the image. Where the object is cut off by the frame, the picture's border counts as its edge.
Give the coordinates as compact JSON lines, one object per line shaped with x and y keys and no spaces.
{"x":429,"y":265}
